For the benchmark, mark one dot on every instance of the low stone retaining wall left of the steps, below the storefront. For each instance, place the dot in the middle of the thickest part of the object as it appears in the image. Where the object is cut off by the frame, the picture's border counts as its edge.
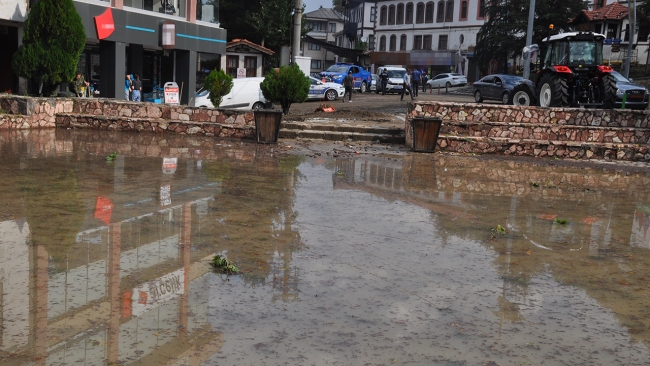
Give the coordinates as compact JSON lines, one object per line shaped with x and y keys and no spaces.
{"x":109,"y":114}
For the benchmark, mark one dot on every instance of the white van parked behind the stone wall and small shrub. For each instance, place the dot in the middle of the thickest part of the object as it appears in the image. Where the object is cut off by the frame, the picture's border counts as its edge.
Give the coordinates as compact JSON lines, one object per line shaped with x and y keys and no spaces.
{"x":245,"y":94}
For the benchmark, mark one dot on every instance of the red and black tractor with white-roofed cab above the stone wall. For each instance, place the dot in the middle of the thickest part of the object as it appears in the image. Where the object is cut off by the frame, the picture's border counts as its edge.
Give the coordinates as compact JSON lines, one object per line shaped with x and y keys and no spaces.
{"x":572,"y":74}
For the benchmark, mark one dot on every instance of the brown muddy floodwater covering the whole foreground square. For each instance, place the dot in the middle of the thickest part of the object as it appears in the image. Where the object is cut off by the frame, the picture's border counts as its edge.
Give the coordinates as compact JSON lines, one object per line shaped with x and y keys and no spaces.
{"x":417,"y":259}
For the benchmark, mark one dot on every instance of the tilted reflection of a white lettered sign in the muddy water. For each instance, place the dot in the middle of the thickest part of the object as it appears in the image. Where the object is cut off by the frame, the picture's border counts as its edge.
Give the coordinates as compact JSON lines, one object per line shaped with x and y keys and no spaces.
{"x":157,"y":292}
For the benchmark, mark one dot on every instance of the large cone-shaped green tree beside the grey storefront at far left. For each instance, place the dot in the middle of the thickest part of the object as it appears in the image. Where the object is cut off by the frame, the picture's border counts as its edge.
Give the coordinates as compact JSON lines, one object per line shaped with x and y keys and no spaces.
{"x":53,"y":39}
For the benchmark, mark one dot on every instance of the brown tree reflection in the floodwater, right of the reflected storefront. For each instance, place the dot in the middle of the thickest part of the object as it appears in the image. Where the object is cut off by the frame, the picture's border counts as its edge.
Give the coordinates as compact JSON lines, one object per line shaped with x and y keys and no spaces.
{"x":254,"y":215}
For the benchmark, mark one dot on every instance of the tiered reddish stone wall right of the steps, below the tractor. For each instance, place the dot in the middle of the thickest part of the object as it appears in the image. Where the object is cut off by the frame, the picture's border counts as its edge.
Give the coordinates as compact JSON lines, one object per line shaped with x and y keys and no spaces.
{"x":532,"y":131}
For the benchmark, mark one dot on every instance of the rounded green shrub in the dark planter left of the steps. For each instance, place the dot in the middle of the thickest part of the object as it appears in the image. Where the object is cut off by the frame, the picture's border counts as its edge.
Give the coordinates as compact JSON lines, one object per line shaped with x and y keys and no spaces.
{"x":286,"y":86}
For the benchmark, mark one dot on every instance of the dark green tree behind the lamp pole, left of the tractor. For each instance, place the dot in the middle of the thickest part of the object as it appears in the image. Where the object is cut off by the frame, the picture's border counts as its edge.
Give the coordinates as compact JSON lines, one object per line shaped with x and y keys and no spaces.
{"x":503,"y":36}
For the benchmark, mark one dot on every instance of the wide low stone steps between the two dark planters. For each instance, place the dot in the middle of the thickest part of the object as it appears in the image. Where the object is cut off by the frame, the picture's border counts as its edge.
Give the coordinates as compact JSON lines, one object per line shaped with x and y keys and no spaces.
{"x":341,"y":132}
